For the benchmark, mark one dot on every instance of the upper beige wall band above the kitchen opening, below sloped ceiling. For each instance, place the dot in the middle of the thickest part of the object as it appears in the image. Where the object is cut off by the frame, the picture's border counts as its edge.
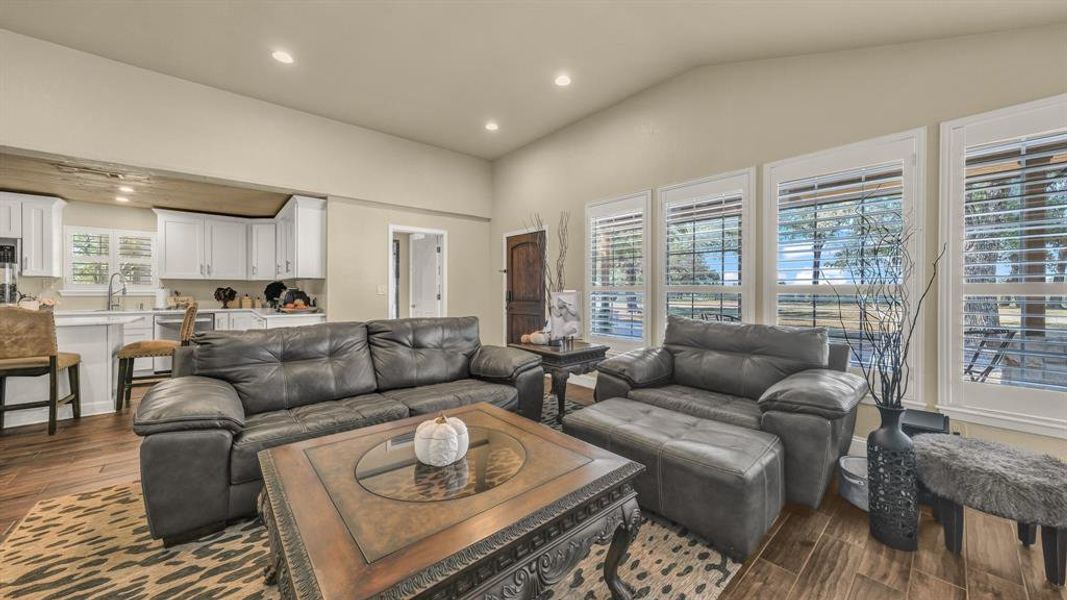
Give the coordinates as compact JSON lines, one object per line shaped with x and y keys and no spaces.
{"x":55,"y":100}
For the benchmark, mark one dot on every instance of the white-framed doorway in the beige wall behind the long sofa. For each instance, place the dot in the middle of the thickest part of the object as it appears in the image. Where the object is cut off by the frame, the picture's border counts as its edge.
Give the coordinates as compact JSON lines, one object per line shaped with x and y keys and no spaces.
{"x":418,"y":271}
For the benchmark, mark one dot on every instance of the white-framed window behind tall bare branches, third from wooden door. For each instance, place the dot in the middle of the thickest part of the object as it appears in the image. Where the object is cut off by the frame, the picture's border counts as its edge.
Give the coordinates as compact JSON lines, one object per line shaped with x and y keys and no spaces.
{"x":825,"y":212}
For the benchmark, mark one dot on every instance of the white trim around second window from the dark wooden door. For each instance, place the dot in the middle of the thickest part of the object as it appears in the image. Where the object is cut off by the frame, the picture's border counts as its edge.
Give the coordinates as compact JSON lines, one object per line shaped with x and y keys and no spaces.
{"x":743,"y":180}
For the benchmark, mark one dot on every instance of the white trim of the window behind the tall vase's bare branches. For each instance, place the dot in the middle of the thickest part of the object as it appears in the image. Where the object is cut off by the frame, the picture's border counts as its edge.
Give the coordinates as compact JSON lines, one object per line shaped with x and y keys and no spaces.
{"x":912,"y":147}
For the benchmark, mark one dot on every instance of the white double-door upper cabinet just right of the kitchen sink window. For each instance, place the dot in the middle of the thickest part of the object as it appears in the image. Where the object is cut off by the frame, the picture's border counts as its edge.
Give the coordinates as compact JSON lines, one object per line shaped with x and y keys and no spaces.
{"x":195,"y":246}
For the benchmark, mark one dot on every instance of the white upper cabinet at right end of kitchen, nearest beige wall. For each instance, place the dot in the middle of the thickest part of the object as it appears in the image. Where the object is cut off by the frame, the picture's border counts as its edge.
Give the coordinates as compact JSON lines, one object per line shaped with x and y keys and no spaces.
{"x":301,"y":239}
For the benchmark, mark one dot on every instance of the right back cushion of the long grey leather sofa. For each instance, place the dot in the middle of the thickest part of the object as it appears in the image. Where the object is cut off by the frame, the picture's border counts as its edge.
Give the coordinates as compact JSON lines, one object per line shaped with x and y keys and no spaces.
{"x":410,"y":353}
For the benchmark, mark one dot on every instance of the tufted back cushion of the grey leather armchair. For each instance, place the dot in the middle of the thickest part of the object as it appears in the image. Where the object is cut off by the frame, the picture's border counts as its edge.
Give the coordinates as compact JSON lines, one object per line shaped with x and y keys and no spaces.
{"x":742,"y":359}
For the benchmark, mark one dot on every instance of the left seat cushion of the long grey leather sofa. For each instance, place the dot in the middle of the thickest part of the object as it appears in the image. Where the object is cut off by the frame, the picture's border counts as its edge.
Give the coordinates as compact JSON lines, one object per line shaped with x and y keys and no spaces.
{"x":269,"y":430}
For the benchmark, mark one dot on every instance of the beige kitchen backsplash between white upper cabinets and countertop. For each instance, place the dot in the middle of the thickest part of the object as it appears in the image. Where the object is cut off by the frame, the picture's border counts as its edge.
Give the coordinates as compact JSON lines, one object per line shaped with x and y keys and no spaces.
{"x":202,"y":291}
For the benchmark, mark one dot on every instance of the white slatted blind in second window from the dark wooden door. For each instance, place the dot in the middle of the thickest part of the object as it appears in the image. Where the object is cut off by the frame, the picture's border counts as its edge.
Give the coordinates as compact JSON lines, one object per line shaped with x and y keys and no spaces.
{"x":705,"y":244}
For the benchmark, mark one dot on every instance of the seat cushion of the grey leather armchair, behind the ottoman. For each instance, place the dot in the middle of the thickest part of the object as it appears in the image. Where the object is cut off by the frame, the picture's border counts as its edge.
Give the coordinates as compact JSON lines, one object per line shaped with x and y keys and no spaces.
{"x":702,"y":404}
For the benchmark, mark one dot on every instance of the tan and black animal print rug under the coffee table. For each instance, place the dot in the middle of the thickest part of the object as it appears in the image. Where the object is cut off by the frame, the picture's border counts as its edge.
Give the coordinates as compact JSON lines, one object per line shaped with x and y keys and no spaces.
{"x":97,"y":545}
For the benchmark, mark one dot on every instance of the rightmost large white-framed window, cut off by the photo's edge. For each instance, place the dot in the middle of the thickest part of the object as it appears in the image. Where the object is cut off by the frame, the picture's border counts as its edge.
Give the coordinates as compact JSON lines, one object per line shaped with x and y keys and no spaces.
{"x":1005,"y":223}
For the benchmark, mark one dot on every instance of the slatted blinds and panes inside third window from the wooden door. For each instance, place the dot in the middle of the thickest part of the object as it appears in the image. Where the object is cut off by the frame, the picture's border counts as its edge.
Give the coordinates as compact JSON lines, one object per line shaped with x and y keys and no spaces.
{"x":830,"y":227}
